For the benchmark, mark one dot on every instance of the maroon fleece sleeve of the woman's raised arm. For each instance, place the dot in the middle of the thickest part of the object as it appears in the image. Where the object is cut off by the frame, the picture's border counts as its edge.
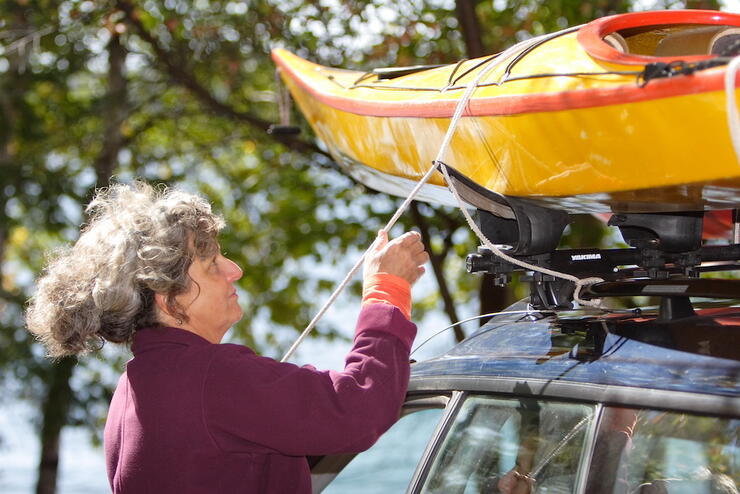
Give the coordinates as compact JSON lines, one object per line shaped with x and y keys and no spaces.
{"x":256,"y":404}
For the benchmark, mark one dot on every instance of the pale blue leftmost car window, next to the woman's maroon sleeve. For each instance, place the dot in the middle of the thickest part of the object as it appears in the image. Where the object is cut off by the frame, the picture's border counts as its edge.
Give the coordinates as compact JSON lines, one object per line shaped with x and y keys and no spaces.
{"x":389,"y":464}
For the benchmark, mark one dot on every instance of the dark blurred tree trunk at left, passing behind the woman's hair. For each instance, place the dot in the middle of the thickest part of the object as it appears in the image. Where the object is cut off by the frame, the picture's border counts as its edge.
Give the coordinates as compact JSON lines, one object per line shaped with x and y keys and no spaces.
{"x":59,"y":398}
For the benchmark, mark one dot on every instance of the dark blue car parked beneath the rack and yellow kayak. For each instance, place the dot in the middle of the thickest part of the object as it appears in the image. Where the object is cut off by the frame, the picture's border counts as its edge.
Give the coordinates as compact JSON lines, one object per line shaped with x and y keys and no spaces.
{"x":548,"y":399}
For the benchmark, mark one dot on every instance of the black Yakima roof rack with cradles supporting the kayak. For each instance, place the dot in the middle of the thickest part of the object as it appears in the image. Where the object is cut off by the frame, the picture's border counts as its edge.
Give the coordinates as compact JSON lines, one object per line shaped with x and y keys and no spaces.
{"x":664,"y":247}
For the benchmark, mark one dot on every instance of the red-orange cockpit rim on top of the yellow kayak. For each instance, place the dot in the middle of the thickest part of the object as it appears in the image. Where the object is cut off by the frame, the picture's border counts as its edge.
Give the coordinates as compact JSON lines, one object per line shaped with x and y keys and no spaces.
{"x":591,"y":36}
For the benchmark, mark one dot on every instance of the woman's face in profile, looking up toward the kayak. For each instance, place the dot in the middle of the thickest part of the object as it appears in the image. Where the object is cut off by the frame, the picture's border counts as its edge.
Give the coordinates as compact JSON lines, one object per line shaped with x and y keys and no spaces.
{"x":211,"y":301}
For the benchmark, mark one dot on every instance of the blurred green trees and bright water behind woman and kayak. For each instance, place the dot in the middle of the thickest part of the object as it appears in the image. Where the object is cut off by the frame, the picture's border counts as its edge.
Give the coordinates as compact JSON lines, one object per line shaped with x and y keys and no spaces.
{"x":182,"y":92}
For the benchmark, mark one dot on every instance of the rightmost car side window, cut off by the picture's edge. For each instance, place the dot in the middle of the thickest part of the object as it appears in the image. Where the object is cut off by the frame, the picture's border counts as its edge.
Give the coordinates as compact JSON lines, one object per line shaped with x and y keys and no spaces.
{"x":649,"y":451}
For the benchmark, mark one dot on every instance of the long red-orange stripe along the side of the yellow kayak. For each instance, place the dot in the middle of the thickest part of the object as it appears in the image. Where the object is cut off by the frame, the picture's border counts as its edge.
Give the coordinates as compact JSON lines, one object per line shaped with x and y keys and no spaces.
{"x":701,"y":82}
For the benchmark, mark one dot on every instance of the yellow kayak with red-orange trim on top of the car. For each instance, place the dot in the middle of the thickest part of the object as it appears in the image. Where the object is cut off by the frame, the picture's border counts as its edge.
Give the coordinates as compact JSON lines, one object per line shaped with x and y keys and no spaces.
{"x":626,"y":113}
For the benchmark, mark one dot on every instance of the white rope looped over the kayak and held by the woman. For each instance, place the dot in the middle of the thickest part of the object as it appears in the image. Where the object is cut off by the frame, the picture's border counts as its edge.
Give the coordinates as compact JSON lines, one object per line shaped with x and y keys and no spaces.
{"x":459,"y":109}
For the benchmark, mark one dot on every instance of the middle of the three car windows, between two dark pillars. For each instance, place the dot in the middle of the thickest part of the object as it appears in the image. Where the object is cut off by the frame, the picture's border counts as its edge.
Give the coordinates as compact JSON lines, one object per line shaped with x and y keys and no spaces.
{"x":511,"y":446}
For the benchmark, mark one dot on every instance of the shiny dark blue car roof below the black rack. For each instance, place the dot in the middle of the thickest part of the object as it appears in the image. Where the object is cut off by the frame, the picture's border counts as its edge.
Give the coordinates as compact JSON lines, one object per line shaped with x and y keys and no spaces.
{"x":600,"y":356}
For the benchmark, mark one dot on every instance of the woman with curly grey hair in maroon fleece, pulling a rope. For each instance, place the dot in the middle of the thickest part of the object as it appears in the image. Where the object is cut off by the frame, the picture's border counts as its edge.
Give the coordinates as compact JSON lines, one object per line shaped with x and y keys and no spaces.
{"x":191,"y":415}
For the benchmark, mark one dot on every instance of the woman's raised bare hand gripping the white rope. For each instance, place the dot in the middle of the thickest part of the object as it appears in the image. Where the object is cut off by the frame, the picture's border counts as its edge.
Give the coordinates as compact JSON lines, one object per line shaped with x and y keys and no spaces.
{"x":403,"y":256}
